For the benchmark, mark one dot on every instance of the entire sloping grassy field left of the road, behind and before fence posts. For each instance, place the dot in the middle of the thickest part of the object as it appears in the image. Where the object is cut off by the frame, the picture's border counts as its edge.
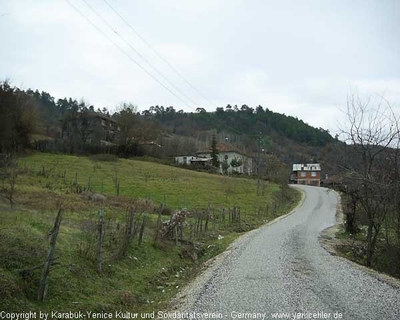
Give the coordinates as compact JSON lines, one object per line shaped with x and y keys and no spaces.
{"x":153,"y":270}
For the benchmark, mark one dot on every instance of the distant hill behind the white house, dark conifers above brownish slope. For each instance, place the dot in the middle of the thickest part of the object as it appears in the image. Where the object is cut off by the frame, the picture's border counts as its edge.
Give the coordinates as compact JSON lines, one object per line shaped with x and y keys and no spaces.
{"x":245,"y":128}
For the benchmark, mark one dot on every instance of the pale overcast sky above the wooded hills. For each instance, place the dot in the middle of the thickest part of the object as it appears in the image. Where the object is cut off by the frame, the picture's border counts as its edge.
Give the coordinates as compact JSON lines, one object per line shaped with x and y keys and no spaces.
{"x":301,"y":58}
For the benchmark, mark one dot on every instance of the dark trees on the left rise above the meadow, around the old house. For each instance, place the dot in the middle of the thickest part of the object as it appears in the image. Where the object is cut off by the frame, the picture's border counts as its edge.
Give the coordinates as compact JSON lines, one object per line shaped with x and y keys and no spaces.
{"x":69,"y":125}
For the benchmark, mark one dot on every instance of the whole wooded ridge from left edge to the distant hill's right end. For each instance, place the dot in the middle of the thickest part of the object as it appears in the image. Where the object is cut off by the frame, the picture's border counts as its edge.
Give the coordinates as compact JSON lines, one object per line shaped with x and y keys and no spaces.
{"x":178,"y":132}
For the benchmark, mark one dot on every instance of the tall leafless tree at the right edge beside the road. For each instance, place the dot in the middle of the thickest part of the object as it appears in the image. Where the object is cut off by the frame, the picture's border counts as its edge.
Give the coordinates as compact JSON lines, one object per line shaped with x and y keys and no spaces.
{"x":372,"y":136}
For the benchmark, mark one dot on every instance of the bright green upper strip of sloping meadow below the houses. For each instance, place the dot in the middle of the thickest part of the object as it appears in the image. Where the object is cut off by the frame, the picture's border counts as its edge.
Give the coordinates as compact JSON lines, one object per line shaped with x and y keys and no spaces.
{"x":141,"y":179}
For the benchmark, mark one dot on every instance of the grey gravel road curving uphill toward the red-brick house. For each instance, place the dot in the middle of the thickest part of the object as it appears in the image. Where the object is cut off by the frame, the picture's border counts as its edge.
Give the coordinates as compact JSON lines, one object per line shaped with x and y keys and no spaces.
{"x":281,"y":271}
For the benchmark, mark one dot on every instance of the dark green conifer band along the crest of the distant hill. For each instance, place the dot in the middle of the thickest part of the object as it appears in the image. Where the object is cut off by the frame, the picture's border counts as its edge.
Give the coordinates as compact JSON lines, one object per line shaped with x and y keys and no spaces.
{"x":245,"y":120}
